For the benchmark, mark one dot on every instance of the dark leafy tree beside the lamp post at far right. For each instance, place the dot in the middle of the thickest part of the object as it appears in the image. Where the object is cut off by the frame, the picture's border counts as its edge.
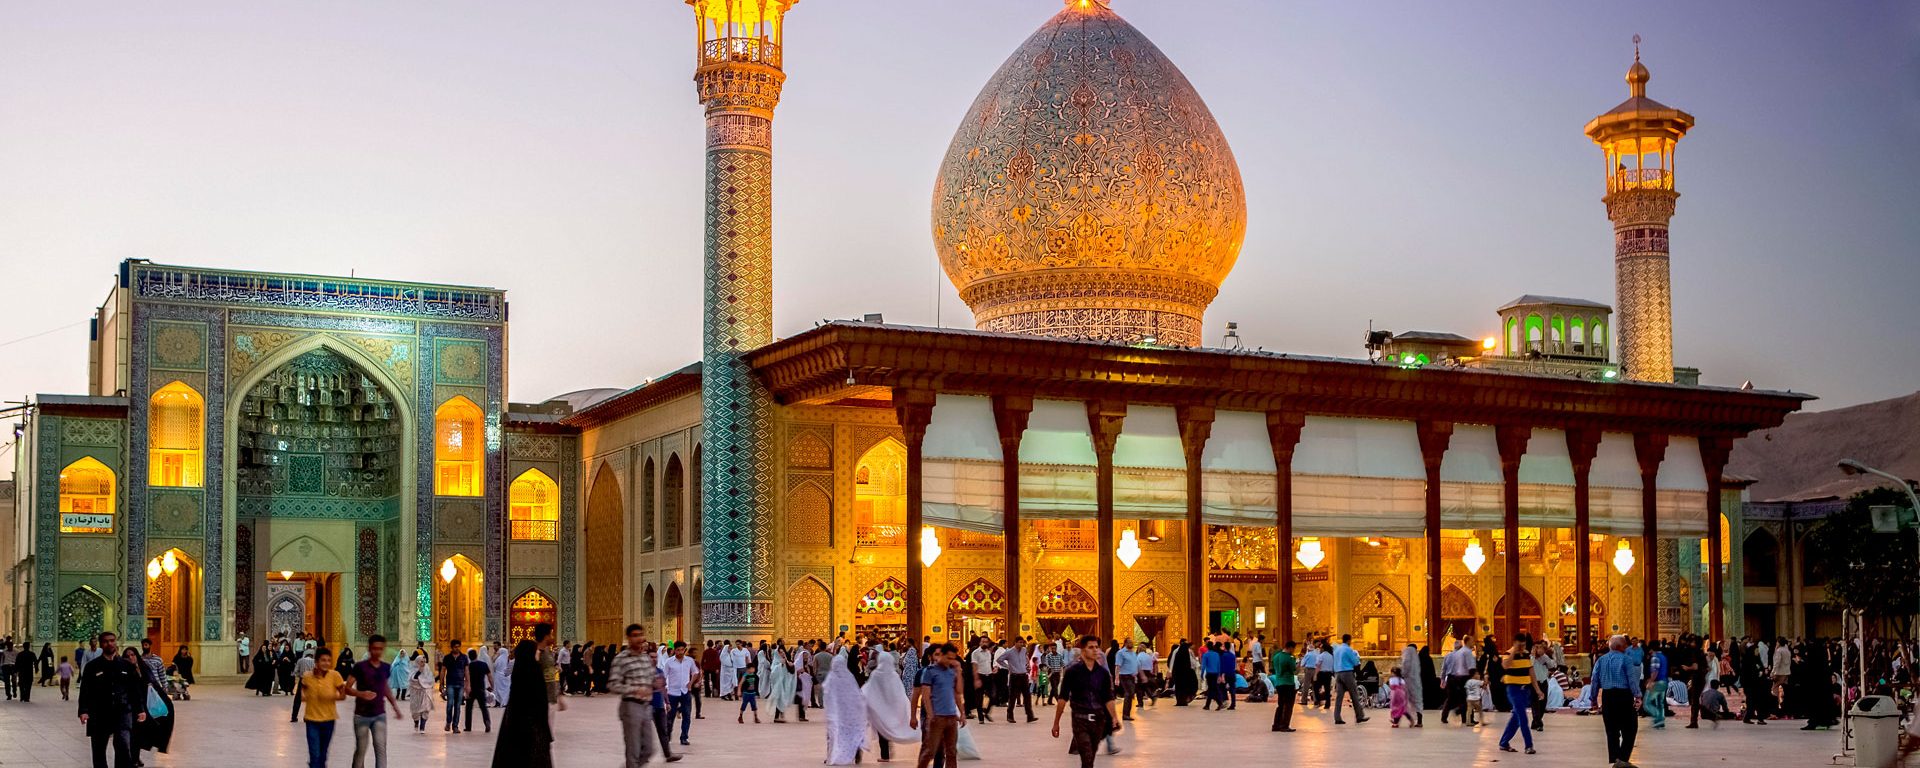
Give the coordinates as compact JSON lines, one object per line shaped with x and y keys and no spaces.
{"x":1867,"y":571}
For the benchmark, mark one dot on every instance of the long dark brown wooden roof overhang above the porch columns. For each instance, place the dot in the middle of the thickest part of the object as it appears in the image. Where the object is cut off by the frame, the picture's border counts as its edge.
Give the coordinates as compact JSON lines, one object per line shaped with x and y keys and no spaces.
{"x":863,"y":364}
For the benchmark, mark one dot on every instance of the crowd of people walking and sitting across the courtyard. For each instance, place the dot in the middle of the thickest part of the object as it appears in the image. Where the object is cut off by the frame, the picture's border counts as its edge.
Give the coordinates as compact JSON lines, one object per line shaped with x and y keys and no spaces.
{"x":880,"y":694}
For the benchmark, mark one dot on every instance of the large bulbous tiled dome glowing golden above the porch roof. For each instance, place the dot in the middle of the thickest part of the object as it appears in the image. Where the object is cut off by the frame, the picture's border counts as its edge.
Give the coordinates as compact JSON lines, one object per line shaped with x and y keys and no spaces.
{"x":1090,"y":191}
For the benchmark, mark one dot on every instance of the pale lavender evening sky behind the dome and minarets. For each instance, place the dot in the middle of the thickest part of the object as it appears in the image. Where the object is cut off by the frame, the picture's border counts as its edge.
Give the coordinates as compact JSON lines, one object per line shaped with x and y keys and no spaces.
{"x":1416,"y":164}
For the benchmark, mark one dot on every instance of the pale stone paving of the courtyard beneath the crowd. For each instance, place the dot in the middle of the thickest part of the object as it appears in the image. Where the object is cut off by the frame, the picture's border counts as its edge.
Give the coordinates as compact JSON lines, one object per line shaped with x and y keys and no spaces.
{"x":228,"y":729}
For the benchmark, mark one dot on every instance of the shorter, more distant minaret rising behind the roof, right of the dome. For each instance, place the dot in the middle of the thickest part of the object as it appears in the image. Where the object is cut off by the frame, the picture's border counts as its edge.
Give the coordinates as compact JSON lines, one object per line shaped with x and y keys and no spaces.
{"x":1639,"y":139}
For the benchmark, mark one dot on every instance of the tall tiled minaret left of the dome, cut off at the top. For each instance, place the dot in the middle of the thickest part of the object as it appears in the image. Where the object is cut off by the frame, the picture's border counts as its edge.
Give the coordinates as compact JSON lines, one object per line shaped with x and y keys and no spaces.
{"x":740,"y":84}
